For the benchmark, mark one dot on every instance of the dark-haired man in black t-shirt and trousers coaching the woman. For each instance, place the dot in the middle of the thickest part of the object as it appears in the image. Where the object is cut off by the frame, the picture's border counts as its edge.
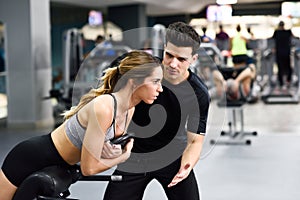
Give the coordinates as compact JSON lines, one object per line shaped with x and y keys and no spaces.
{"x":174,"y":127}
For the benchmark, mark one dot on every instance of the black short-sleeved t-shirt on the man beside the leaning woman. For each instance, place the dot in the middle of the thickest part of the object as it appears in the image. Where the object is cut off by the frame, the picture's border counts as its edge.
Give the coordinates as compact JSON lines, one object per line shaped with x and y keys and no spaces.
{"x":179,"y":108}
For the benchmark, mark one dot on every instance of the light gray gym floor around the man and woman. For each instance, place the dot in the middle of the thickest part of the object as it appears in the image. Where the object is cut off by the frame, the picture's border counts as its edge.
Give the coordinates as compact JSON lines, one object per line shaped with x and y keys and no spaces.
{"x":266,"y":169}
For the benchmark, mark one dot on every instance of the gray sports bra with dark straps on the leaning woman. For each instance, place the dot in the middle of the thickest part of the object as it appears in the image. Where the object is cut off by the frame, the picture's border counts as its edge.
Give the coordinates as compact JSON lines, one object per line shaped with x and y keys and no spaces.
{"x":75,"y":131}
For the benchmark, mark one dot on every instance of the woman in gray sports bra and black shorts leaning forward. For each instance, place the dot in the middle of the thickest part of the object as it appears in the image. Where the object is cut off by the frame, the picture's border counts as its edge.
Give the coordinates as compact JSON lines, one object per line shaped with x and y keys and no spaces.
{"x":102,"y":114}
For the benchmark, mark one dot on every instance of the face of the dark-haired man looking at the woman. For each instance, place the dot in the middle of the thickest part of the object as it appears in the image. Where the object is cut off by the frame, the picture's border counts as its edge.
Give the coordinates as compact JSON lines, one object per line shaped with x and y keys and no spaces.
{"x":176,"y":61}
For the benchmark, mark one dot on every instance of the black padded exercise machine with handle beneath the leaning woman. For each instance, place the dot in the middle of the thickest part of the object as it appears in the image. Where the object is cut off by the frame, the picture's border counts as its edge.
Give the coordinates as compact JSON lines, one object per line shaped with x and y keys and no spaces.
{"x":52,"y":183}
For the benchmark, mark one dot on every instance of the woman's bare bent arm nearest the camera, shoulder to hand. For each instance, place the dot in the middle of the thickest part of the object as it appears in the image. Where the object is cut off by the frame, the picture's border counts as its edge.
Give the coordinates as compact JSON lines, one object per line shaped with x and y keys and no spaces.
{"x":99,"y":120}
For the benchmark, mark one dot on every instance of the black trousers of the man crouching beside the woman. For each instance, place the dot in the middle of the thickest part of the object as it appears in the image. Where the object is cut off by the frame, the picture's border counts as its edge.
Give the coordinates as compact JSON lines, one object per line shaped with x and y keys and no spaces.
{"x":133,"y":185}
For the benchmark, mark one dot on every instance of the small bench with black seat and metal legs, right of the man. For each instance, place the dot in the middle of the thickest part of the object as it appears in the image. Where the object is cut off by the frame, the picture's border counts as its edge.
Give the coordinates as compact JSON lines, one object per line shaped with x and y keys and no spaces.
{"x":235,"y":136}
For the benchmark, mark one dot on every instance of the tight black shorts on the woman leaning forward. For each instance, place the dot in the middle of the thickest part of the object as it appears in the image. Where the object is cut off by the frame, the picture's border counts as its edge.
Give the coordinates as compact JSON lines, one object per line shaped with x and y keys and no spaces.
{"x":30,"y":156}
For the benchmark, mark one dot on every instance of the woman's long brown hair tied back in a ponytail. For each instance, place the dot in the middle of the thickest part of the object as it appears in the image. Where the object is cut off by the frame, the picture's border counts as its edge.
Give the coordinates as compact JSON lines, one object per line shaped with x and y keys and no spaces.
{"x":136,"y":65}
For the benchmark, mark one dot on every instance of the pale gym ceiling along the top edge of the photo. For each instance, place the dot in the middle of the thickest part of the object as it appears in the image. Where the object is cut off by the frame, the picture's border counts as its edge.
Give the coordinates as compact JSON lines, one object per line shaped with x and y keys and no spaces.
{"x":157,"y":7}
